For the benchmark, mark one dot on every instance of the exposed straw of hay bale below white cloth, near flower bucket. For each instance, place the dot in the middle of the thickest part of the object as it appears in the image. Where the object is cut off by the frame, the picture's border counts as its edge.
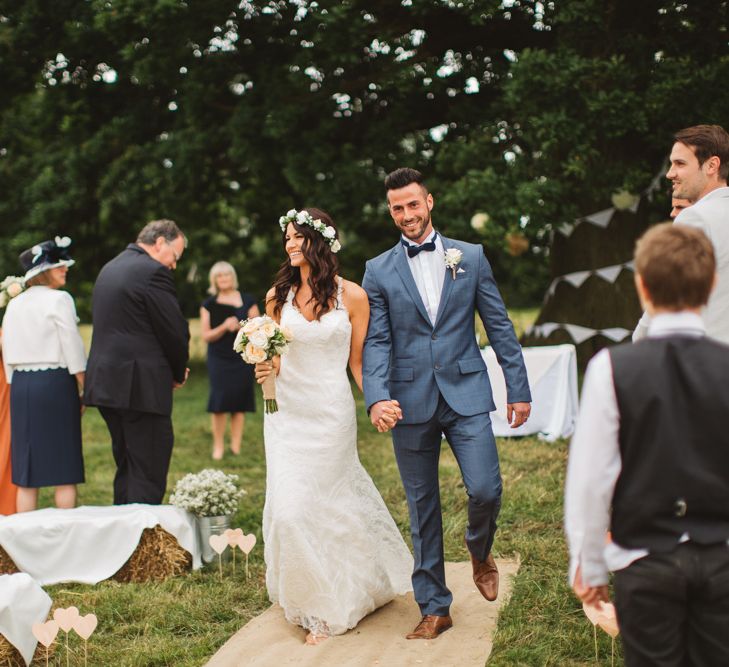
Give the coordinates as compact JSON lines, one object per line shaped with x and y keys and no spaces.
{"x":157,"y":557}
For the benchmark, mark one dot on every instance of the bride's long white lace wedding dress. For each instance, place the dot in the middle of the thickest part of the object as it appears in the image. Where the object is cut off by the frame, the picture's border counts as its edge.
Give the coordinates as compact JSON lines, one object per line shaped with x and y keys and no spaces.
{"x":333,"y":552}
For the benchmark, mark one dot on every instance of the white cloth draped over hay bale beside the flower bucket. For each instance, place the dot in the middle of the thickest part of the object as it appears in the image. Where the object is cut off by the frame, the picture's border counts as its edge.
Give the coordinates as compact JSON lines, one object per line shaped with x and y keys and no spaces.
{"x":88,"y":544}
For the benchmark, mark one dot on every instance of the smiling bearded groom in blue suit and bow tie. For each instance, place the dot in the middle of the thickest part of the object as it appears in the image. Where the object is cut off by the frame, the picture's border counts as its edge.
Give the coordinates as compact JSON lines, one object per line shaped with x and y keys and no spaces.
{"x":421,"y":357}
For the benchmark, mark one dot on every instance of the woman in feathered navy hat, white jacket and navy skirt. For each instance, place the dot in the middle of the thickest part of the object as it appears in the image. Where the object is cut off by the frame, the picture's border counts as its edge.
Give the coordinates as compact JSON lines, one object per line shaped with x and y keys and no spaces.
{"x":45,"y":362}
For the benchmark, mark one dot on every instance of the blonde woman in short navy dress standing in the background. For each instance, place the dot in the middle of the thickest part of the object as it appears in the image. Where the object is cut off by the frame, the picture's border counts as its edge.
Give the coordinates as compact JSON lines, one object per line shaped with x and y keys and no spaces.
{"x":231,"y":379}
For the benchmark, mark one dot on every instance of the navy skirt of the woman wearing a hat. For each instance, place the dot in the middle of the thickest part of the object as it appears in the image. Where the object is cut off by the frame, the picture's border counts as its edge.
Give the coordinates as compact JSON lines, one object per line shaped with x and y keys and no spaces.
{"x":45,"y":429}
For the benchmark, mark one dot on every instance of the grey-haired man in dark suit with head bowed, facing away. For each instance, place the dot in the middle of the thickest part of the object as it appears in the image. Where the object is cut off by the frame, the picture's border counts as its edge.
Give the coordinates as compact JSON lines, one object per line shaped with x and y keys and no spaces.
{"x":139,"y":353}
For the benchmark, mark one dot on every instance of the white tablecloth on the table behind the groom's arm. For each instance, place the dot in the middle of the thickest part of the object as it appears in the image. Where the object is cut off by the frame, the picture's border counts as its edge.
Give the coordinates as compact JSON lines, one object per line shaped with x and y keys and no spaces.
{"x":552,"y":371}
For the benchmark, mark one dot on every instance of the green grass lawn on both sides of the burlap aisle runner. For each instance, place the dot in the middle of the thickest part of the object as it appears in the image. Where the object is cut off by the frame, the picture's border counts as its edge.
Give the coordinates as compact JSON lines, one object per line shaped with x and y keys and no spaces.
{"x":184,"y":620}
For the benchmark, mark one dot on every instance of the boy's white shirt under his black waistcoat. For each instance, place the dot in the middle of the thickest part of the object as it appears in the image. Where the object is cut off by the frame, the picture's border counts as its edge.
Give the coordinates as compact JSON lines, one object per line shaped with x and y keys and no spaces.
{"x":594,"y":463}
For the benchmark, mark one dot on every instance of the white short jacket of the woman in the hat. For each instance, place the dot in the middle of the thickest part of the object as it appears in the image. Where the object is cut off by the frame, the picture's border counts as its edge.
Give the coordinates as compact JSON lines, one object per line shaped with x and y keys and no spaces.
{"x":40,"y":332}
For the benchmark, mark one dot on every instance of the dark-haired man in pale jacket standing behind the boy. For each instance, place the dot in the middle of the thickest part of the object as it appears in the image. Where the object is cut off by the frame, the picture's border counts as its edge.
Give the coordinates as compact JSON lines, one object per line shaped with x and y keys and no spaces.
{"x":698,"y":172}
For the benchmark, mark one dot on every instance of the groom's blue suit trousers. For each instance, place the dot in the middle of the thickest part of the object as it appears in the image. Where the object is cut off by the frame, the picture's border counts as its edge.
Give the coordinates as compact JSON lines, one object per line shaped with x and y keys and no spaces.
{"x":417,"y":450}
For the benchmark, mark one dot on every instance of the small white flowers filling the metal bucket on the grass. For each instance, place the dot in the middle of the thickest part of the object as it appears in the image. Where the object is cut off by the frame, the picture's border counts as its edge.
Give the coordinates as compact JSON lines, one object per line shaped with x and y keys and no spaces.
{"x":208,"y":493}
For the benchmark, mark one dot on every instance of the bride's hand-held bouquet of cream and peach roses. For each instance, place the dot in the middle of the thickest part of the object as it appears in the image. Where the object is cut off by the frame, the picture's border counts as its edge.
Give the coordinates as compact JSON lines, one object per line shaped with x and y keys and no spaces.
{"x":260,"y":339}
